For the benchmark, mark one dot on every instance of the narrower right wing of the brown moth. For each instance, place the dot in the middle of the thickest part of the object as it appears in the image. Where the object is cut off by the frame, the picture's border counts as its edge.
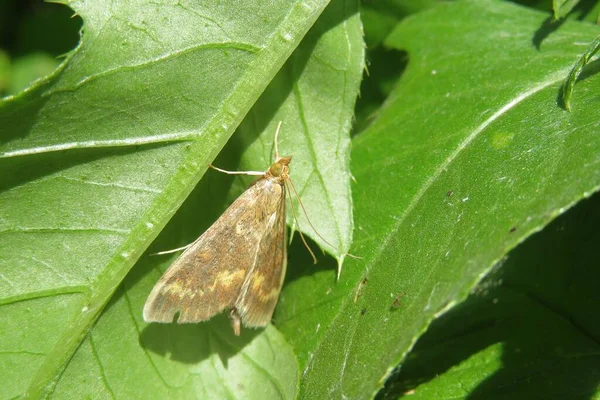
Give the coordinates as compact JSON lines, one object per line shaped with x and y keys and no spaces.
{"x":260,"y":291}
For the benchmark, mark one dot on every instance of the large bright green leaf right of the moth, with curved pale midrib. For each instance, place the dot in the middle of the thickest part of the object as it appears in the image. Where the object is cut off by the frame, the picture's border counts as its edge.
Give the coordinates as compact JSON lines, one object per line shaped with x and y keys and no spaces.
{"x":469,"y":156}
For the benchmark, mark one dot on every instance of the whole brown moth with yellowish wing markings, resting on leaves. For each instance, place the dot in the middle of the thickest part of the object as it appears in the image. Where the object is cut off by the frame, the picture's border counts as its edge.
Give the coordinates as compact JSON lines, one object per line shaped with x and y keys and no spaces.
{"x":237,"y":264}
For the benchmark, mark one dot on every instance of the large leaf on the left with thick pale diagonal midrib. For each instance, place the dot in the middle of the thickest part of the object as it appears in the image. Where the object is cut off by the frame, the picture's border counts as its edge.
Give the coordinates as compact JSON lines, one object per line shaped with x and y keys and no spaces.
{"x":96,"y":158}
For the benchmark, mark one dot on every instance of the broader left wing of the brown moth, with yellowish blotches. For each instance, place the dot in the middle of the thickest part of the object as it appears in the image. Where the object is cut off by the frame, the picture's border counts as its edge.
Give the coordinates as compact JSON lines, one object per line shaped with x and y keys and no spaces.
{"x":208,"y":276}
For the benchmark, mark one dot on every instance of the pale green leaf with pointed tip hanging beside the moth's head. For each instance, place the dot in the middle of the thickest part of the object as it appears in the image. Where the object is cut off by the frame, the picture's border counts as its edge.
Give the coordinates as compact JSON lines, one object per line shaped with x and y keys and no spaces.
{"x":314,"y":95}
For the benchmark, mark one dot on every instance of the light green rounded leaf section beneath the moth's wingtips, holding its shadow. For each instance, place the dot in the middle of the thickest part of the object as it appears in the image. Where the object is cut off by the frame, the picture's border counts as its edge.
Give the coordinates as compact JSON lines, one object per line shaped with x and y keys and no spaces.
{"x":175,"y":361}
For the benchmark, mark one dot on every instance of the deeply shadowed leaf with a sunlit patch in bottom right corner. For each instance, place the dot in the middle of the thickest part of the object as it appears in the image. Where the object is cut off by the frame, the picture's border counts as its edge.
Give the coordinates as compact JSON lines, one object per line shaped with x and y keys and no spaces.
{"x":530,"y":330}
